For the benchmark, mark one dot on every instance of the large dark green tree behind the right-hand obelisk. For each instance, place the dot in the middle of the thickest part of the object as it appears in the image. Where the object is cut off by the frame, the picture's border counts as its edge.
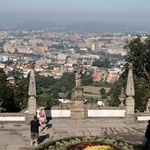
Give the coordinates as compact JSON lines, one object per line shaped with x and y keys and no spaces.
{"x":138,"y":53}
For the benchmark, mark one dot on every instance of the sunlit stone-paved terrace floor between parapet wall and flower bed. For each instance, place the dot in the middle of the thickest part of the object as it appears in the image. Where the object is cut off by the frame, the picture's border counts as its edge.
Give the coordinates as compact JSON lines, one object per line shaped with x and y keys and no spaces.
{"x":16,"y":136}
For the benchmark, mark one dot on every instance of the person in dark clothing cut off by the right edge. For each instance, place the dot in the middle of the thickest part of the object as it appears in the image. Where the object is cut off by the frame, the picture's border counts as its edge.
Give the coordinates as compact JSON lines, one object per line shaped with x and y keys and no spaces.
{"x":147,"y":135}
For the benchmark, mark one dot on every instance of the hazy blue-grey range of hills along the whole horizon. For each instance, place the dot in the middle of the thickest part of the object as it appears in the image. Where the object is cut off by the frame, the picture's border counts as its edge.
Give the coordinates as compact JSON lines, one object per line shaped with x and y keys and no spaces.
{"x":89,"y":26}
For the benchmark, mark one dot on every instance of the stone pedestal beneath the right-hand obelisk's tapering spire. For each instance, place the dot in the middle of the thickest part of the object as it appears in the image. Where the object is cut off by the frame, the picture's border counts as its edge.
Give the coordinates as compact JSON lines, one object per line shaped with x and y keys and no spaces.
{"x":130,"y":116}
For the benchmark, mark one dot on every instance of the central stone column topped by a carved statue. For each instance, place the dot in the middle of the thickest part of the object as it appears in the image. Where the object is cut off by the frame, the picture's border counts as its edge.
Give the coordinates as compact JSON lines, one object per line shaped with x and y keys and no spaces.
{"x":78,"y":110}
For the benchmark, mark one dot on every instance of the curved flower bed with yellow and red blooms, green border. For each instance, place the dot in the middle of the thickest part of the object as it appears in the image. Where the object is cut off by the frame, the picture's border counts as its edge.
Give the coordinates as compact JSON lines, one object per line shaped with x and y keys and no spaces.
{"x":87,"y":143}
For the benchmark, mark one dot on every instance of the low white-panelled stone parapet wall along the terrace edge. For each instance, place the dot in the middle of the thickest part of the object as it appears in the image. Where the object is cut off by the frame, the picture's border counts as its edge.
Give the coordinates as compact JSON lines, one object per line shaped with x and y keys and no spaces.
{"x":65,"y":112}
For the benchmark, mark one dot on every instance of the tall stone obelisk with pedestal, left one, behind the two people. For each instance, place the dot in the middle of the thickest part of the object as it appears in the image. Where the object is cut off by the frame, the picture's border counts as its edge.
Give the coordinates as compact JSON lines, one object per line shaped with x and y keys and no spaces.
{"x":32,"y":96}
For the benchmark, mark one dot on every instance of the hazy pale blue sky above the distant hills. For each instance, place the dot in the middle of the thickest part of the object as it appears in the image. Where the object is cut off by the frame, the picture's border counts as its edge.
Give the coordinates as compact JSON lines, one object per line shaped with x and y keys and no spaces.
{"x":122,"y":11}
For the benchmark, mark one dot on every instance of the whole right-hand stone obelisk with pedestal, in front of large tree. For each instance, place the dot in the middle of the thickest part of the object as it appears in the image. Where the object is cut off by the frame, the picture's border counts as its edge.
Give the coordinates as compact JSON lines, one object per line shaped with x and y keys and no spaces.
{"x":130,"y":103}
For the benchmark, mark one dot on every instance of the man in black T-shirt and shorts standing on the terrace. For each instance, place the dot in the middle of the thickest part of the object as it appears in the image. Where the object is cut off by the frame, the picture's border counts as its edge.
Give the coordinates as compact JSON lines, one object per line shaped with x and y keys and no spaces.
{"x":34,"y":129}
